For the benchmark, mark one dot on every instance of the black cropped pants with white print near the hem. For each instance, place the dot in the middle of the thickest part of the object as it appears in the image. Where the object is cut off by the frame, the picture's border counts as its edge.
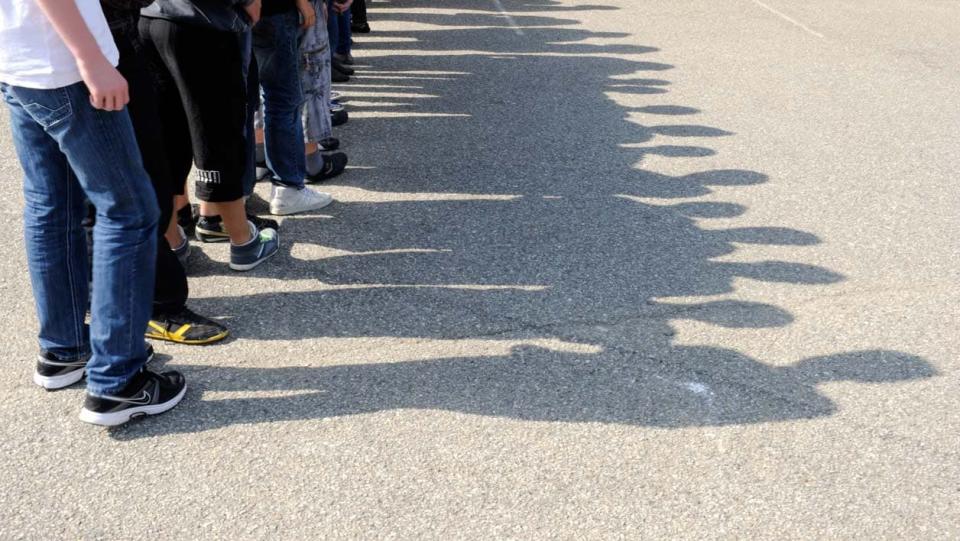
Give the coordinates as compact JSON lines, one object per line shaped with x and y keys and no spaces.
{"x":203,"y":102}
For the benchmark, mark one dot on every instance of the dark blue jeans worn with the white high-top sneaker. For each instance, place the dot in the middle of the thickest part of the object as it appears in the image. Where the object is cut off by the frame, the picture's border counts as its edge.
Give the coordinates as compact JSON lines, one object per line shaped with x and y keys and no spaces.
{"x":277,"y":48}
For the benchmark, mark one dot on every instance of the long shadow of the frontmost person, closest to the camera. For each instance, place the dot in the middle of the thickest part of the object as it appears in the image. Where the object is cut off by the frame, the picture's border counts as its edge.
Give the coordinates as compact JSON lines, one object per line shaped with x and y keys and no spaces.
{"x":694,"y":387}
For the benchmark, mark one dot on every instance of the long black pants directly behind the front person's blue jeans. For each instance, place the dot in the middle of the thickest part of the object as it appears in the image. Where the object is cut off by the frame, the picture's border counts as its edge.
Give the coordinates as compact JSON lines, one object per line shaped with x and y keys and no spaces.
{"x":170,"y":290}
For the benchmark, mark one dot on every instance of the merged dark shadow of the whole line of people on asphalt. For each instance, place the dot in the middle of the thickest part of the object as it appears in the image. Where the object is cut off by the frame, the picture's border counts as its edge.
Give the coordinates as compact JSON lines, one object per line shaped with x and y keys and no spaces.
{"x":506,"y":199}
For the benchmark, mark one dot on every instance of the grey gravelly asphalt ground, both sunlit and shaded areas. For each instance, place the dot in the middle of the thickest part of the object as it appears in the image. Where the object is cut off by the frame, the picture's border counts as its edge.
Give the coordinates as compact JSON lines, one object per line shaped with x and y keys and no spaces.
{"x":599,"y":269}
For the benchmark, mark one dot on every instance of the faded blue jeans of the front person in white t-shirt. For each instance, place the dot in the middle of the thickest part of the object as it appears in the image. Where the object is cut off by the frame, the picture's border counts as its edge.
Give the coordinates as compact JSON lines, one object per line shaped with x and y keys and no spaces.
{"x":70,"y":152}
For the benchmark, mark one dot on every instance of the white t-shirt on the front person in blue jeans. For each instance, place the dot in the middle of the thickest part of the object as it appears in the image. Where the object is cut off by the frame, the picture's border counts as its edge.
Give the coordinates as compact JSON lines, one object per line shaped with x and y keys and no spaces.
{"x":32,"y":54}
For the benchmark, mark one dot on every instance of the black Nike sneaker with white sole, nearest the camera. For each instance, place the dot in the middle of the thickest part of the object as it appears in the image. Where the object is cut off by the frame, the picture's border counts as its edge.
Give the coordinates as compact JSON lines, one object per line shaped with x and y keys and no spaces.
{"x":148,"y":393}
